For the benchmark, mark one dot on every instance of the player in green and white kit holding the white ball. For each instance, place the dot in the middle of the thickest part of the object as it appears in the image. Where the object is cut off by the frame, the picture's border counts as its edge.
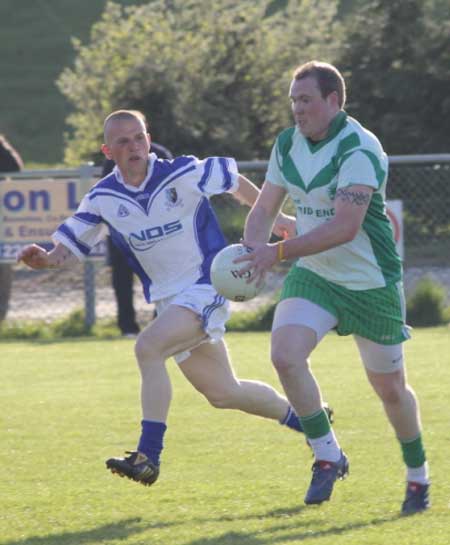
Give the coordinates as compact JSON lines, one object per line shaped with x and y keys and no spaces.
{"x":347,"y":276}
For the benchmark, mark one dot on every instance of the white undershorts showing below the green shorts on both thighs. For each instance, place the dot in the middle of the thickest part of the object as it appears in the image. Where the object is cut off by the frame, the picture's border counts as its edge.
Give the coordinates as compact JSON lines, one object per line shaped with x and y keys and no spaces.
{"x":378,"y":358}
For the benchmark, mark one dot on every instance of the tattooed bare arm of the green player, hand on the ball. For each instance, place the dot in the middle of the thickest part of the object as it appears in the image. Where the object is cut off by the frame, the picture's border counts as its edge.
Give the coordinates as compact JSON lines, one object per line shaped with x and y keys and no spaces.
{"x":351,"y":205}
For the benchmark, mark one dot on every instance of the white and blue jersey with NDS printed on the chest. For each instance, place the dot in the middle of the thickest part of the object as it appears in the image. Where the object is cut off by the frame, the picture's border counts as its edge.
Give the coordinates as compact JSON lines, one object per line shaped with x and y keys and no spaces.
{"x":166,"y":227}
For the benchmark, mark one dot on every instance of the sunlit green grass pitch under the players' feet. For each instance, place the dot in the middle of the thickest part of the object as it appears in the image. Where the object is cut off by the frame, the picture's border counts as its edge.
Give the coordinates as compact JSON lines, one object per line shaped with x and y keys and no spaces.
{"x":227,"y":478}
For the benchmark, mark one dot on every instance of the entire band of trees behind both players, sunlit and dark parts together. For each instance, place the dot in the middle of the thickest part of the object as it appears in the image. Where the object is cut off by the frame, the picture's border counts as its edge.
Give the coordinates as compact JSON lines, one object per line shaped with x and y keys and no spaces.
{"x":212,"y":75}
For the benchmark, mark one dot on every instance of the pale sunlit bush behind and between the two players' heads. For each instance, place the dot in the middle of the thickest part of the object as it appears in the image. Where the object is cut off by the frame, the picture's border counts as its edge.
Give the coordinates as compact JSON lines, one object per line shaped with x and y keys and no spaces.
{"x":211,"y":75}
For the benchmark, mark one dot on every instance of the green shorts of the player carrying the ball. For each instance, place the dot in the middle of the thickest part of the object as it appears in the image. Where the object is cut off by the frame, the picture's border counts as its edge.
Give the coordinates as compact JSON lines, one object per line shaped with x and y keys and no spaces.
{"x":377,"y":314}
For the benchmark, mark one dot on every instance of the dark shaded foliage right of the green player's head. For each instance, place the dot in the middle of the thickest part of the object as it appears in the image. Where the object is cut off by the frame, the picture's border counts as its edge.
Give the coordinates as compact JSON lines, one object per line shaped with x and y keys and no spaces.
{"x":397,"y":64}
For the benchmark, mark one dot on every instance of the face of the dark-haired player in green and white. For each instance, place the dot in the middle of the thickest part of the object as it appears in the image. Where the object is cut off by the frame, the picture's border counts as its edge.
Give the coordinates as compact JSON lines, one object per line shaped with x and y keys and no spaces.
{"x":312,"y":113}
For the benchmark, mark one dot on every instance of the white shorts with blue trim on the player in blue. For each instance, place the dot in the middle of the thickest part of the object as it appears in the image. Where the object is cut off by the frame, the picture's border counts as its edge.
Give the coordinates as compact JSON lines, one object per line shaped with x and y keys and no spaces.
{"x":212,"y":308}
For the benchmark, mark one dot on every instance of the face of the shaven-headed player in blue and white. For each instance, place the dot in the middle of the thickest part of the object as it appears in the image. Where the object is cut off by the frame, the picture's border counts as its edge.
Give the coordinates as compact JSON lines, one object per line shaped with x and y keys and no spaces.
{"x":128,"y":144}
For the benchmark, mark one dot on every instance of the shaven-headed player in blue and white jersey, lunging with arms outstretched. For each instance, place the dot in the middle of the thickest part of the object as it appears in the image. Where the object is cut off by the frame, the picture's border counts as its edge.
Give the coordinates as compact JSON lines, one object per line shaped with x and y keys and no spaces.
{"x":158,"y":213}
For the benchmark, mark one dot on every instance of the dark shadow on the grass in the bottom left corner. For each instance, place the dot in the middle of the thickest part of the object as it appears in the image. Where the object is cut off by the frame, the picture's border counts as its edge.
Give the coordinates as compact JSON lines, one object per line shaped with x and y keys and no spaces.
{"x":113,"y":531}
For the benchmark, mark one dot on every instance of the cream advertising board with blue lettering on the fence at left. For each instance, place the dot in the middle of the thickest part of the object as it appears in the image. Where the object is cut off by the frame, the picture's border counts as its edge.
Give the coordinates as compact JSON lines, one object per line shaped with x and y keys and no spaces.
{"x":31,"y":211}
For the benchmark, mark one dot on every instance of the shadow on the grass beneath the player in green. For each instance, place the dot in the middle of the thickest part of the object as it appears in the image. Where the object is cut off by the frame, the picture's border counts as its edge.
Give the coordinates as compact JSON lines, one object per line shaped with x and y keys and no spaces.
{"x":269,"y":535}
